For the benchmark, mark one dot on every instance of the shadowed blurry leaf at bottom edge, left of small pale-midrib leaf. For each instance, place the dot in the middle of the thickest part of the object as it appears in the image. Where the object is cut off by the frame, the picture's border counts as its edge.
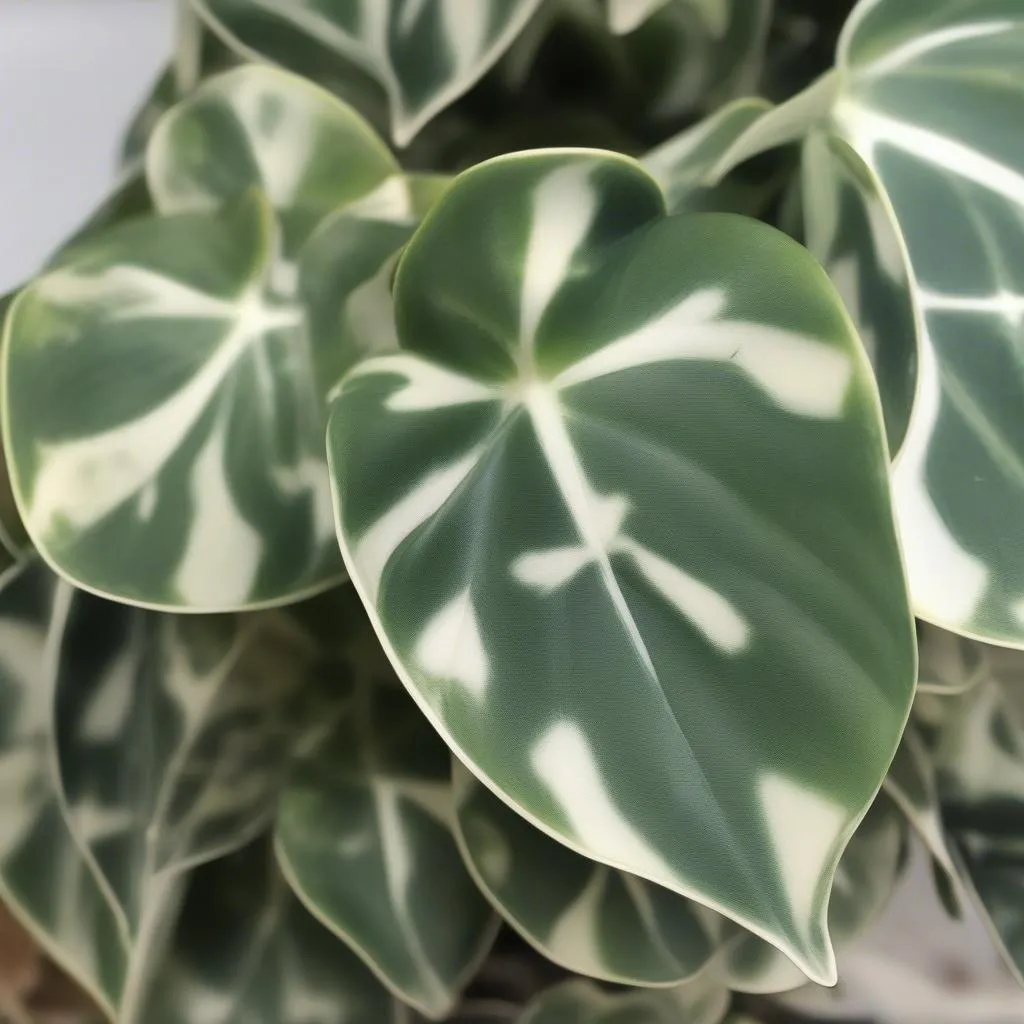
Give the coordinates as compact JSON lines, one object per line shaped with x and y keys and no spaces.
{"x":246,"y":951}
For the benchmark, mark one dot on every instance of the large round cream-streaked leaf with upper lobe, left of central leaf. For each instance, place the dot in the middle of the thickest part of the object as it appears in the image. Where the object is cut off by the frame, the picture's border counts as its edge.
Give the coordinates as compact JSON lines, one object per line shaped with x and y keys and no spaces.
{"x":190,"y":471}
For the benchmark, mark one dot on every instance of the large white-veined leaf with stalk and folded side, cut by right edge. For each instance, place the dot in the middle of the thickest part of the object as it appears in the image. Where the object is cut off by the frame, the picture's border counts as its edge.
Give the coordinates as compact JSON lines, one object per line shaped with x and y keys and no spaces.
{"x":923,"y":111}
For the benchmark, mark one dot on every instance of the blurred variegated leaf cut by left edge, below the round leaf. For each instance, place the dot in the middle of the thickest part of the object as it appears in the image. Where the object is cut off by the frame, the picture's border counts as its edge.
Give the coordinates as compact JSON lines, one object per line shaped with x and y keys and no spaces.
{"x":45,"y":877}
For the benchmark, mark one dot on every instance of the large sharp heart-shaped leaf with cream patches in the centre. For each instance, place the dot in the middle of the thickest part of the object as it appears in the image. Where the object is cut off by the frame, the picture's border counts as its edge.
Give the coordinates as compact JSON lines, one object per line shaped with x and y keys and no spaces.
{"x":633,"y":551}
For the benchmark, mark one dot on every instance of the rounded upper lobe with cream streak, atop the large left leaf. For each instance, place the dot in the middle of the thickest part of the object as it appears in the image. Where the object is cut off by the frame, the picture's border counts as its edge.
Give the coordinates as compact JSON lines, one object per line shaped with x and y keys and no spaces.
{"x":265,"y":129}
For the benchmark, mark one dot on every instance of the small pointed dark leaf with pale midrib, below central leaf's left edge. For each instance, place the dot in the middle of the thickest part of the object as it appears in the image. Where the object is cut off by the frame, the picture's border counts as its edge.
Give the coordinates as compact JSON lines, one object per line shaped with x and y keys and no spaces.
{"x":364,"y":832}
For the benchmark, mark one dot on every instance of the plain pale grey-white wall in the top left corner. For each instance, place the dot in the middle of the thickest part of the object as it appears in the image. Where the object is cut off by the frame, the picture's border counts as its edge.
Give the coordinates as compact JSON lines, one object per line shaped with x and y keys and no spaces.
{"x":72,"y":72}
